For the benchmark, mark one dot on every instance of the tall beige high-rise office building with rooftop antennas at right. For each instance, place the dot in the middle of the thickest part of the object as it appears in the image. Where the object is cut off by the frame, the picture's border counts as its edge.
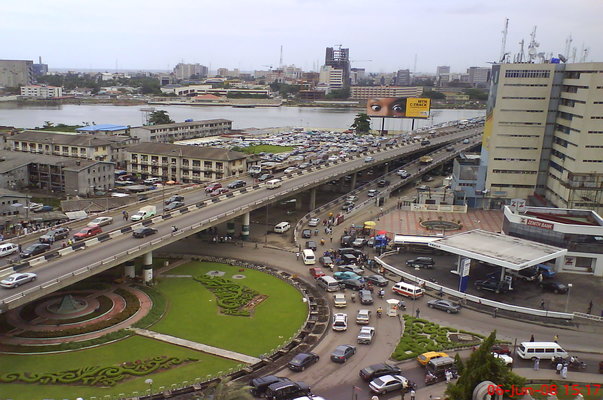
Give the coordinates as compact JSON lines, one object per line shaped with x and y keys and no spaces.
{"x":543,"y":138}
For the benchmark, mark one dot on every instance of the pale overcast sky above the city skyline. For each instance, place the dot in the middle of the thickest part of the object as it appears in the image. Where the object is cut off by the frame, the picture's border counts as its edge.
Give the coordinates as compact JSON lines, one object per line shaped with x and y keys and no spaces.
{"x":157,"y":34}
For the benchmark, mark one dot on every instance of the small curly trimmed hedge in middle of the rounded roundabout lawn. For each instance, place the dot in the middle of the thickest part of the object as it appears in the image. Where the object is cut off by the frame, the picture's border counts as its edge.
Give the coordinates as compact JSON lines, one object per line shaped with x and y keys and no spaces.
{"x":231,"y":297}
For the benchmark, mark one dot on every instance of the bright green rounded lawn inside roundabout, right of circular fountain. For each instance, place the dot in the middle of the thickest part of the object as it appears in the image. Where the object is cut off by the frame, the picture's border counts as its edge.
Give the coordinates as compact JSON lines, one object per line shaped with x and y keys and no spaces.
{"x":274,"y":320}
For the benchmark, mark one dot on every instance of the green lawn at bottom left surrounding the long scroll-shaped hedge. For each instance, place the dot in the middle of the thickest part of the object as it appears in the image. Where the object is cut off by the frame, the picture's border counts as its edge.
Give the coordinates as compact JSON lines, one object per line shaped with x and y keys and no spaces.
{"x":136,"y":348}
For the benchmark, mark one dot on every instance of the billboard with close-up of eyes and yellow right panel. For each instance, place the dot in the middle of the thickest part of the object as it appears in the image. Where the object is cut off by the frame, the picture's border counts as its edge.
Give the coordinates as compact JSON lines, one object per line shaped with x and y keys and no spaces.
{"x":398,"y":107}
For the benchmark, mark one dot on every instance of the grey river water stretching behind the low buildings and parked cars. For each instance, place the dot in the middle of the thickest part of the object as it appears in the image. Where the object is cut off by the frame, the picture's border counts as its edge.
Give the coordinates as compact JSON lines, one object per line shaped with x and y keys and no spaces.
{"x":30,"y":116}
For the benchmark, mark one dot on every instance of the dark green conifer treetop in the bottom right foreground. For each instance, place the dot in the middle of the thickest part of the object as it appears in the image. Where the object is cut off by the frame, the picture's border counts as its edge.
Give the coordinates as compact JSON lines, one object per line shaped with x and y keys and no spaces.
{"x":483,"y":366}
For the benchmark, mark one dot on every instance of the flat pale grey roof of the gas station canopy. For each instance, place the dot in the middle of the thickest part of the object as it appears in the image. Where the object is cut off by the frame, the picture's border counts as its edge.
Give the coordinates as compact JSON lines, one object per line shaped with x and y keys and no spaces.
{"x":494,"y":248}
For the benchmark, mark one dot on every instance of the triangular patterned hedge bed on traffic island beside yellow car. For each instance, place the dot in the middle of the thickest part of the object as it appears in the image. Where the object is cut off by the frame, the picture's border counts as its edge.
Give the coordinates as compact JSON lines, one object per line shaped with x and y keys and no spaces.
{"x":421,"y":336}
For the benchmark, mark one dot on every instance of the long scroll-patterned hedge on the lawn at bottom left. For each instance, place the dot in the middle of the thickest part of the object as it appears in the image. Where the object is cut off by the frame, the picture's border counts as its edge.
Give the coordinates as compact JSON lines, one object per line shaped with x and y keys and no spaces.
{"x":97,"y":375}
